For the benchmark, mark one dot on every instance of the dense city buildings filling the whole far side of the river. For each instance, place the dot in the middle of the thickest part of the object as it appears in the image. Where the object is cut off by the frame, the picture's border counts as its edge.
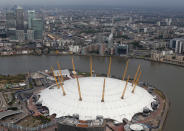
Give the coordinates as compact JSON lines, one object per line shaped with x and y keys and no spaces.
{"x":118,"y":32}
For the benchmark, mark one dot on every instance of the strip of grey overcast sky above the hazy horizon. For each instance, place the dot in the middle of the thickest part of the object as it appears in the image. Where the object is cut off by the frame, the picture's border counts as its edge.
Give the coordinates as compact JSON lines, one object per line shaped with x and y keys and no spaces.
{"x":164,"y":3}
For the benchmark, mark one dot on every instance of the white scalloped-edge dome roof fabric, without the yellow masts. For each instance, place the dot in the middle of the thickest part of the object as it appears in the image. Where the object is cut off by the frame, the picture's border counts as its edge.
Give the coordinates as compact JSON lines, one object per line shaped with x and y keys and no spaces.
{"x":91,"y":106}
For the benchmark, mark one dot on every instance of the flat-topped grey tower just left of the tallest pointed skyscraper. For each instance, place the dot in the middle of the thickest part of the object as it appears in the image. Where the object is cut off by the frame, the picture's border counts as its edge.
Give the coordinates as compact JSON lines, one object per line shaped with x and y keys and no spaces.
{"x":10,"y":19}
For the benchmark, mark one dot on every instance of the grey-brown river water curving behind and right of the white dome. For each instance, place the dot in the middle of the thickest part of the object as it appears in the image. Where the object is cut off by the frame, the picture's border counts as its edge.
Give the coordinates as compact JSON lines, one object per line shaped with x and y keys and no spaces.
{"x":168,"y":78}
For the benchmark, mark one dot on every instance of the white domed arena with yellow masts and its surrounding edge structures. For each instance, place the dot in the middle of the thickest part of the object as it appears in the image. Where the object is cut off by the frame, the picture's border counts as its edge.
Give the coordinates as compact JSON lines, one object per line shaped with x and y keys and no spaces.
{"x":96,"y":102}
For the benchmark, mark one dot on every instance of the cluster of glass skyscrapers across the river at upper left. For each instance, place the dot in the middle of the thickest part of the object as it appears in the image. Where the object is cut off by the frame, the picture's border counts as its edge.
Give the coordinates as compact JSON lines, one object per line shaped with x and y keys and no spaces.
{"x":21,"y":26}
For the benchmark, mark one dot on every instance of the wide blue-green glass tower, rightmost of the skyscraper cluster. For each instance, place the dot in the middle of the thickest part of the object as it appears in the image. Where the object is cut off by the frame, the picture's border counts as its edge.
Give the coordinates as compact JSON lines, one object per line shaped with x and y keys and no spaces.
{"x":37,"y":26}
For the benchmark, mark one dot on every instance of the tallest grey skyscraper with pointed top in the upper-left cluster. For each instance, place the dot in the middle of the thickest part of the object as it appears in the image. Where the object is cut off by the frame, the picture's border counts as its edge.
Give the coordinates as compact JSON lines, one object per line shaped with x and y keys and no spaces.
{"x":20,"y":18}
